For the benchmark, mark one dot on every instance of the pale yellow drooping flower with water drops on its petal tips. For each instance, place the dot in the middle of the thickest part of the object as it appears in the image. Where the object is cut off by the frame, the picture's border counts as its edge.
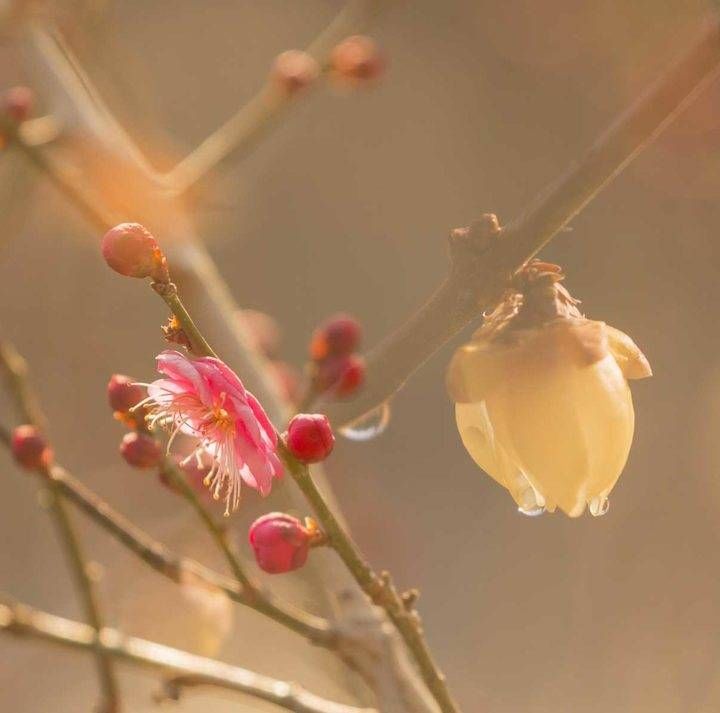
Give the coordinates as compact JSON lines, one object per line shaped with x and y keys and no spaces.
{"x":542,"y":397}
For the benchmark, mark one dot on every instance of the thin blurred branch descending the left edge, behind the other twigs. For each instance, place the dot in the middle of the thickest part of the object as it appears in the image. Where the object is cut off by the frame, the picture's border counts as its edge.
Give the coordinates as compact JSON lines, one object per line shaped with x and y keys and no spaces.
{"x":28,"y":404}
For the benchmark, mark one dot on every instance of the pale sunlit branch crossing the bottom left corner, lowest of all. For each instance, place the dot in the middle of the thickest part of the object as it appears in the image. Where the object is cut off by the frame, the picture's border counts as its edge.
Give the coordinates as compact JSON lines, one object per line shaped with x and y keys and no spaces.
{"x":21,"y":620}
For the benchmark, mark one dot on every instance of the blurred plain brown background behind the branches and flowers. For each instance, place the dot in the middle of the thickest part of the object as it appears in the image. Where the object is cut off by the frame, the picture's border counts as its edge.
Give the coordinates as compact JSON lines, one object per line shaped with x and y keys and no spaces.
{"x":346,"y":207}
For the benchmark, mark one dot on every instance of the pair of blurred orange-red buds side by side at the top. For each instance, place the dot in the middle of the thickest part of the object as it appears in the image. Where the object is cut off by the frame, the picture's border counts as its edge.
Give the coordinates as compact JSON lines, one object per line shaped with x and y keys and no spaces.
{"x":354,"y":62}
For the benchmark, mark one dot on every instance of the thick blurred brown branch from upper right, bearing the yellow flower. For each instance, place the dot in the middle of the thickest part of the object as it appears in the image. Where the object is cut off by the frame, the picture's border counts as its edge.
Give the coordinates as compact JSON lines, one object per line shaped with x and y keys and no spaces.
{"x":480,"y":270}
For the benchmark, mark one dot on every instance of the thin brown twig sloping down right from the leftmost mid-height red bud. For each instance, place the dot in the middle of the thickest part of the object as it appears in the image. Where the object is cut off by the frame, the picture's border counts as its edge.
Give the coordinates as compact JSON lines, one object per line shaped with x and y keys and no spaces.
{"x":178,"y":569}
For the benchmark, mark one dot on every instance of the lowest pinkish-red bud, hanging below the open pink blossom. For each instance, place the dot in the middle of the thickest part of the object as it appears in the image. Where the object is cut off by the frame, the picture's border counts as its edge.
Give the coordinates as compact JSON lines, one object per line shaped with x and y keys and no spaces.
{"x":281,"y":542}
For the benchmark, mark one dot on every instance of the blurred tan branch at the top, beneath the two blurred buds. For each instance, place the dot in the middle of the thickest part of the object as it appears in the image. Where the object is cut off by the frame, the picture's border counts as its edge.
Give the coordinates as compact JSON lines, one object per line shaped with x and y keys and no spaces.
{"x":241,"y":133}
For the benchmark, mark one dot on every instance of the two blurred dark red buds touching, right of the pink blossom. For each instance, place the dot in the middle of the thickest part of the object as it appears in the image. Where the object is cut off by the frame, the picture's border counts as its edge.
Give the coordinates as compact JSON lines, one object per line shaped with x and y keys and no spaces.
{"x":336,"y":368}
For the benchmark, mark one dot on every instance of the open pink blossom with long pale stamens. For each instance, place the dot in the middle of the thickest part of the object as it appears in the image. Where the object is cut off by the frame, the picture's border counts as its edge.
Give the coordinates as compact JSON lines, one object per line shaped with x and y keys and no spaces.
{"x":205,"y":399}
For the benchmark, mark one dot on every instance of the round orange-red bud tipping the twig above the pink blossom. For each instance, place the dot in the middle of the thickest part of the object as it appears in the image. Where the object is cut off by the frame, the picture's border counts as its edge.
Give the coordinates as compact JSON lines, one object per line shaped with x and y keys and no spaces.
{"x":131,"y":250}
